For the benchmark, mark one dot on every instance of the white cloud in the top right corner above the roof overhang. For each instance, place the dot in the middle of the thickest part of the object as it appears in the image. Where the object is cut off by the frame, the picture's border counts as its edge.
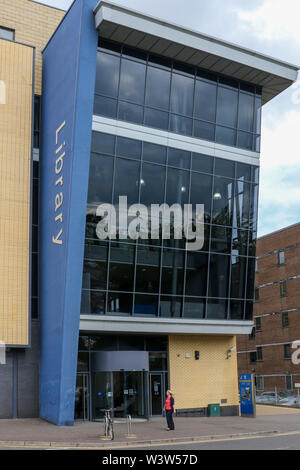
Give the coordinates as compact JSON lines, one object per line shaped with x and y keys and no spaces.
{"x":273,"y":20}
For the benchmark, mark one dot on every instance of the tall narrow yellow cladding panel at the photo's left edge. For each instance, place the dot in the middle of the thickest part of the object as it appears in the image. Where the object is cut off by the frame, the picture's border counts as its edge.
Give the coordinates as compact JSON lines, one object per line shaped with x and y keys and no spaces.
{"x":16,"y":76}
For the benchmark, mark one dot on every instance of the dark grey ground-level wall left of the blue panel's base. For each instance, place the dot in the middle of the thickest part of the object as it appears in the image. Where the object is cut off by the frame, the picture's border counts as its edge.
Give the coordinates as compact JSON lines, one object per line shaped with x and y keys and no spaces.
{"x":28,"y":379}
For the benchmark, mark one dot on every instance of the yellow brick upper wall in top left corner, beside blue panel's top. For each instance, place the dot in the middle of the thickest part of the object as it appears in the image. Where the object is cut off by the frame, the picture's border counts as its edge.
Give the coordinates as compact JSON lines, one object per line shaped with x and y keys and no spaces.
{"x":34,"y":24}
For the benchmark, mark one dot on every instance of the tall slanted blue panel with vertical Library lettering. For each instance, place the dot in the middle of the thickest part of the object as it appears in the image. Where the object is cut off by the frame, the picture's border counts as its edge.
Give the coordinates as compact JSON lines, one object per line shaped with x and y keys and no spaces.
{"x":69,"y":69}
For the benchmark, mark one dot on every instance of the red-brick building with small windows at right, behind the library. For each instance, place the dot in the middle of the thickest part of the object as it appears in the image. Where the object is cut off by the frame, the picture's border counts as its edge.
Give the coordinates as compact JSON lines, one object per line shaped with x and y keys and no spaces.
{"x":267,"y":351}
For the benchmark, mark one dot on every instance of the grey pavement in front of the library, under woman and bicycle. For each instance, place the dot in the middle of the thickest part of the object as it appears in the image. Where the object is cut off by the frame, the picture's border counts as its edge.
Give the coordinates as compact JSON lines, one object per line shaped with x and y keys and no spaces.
{"x":30,"y":433}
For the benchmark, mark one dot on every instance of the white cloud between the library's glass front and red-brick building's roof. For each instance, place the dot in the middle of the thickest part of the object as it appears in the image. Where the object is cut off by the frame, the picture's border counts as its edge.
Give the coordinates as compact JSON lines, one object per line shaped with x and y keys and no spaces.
{"x":279,"y":199}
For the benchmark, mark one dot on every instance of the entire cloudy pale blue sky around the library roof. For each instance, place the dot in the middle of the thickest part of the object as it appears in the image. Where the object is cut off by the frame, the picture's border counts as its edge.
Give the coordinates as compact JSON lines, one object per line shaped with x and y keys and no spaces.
{"x":270,"y":27}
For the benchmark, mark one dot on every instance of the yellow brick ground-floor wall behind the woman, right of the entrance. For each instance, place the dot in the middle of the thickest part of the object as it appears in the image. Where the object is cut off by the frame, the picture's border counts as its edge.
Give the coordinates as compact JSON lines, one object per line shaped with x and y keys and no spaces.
{"x":197,"y":383}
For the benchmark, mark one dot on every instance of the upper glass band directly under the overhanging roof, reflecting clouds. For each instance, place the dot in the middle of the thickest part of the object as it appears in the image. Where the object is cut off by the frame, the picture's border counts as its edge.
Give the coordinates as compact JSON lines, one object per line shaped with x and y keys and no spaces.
{"x":156,"y":92}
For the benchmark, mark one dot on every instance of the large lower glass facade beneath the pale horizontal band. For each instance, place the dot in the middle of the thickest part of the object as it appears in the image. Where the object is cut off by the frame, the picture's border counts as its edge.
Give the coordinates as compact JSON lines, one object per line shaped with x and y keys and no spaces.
{"x":159,"y":277}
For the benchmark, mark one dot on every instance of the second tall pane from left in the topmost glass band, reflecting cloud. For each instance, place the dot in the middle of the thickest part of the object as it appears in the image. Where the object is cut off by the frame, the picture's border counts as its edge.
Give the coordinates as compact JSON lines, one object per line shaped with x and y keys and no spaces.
{"x":132,"y":83}
